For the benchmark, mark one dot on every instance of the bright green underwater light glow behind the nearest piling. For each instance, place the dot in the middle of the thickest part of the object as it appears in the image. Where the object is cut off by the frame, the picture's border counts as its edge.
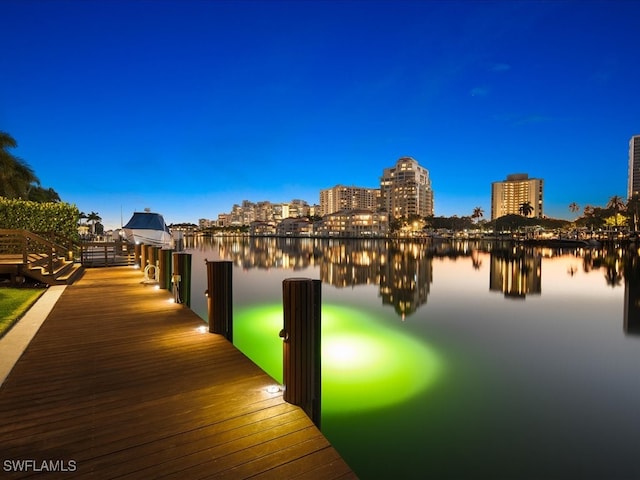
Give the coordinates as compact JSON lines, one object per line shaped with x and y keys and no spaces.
{"x":365,"y":363}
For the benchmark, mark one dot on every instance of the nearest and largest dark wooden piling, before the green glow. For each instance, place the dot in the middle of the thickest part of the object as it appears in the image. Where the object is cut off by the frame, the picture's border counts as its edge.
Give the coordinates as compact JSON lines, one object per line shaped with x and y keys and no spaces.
{"x":301,"y":344}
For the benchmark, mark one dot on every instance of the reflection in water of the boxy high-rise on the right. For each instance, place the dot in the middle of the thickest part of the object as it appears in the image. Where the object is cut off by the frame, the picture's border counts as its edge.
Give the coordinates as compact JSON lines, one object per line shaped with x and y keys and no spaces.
{"x":516,"y":271}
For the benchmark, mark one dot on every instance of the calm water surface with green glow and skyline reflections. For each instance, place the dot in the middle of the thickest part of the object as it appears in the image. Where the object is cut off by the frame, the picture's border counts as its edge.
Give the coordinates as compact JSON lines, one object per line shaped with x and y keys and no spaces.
{"x":459,"y":360}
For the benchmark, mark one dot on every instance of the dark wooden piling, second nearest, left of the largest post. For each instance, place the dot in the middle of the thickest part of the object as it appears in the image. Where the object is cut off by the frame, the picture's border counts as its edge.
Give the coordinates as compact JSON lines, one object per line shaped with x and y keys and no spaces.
{"x":219,"y":298}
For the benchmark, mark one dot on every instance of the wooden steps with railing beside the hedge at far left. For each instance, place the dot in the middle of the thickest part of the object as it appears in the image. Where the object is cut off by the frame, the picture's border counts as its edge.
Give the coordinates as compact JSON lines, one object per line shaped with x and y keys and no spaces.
{"x":26,"y":254}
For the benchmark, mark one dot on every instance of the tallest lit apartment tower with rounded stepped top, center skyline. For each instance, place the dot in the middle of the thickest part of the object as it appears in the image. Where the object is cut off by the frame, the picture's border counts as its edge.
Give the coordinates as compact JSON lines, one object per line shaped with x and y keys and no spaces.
{"x":405,"y":189}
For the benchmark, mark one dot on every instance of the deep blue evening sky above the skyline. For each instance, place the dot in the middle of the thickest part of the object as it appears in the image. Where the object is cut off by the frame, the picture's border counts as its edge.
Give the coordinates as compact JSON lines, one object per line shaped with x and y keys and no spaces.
{"x":190,"y":106}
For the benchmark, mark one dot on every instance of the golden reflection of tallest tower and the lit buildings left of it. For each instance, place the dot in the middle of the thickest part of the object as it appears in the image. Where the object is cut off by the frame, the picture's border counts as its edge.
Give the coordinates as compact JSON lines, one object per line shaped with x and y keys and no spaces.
{"x":402,"y":271}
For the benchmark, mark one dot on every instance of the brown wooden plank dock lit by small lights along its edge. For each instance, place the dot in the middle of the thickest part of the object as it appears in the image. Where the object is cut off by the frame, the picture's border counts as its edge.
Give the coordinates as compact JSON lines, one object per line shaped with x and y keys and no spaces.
{"x":119,"y":383}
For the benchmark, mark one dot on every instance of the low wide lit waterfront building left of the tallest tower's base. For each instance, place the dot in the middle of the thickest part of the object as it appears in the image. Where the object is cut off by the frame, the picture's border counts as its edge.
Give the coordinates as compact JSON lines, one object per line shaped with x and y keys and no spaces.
{"x":354,"y":223}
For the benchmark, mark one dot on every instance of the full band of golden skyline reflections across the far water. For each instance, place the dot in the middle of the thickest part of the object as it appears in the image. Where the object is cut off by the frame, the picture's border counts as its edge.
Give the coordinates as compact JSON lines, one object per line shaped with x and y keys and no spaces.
{"x":402,"y":271}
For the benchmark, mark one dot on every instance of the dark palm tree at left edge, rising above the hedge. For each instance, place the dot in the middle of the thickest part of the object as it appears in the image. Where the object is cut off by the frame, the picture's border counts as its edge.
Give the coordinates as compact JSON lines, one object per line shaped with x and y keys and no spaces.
{"x":16,"y":176}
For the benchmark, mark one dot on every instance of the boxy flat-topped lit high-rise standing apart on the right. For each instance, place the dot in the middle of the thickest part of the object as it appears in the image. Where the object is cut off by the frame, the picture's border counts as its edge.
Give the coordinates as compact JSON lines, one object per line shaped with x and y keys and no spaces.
{"x":508,"y":195}
